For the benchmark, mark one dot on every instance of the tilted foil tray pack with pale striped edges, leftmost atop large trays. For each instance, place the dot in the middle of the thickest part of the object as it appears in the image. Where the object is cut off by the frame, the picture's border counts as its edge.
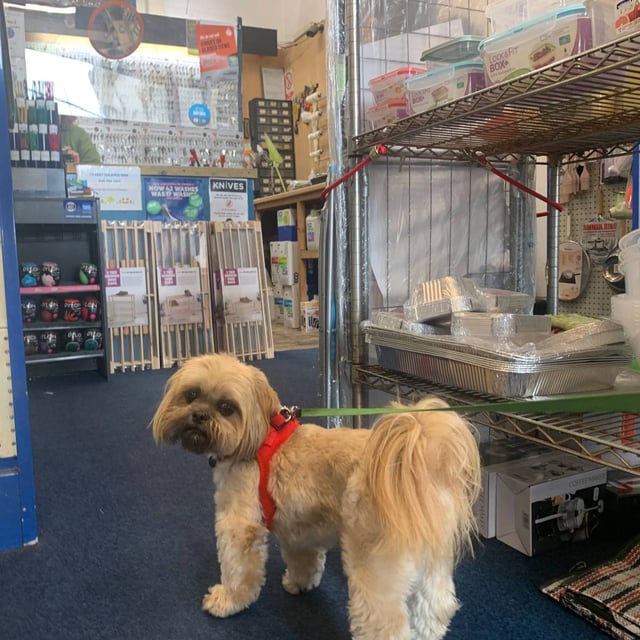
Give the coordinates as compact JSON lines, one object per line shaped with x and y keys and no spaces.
{"x":434,"y":299}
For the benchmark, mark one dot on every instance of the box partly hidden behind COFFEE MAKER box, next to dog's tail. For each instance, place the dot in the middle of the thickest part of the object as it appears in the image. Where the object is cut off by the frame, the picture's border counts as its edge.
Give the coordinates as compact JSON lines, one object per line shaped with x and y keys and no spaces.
{"x":497,"y":455}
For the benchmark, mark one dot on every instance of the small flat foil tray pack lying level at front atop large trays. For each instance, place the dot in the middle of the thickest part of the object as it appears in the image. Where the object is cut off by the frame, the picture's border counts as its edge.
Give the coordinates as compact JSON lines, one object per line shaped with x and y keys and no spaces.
{"x":500,"y":325}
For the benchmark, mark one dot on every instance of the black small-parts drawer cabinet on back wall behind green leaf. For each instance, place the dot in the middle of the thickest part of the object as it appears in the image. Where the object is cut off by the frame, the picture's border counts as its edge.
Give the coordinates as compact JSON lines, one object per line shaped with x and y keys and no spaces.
{"x":275,"y":118}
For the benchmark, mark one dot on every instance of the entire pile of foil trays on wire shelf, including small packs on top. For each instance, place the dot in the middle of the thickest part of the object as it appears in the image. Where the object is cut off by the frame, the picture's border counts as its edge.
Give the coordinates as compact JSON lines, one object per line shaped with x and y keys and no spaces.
{"x":455,"y":333}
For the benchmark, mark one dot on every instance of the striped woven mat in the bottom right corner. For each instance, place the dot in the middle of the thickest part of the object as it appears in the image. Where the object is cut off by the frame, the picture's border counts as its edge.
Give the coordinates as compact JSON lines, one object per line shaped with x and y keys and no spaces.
{"x":608,"y":594}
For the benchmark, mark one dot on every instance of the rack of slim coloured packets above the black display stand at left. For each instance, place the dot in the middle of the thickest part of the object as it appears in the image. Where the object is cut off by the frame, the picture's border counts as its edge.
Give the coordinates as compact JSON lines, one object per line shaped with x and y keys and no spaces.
{"x":35,"y":138}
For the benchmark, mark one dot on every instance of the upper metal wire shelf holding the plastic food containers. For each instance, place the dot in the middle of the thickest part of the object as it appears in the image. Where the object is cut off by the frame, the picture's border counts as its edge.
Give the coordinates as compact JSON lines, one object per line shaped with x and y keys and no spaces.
{"x":583,"y":105}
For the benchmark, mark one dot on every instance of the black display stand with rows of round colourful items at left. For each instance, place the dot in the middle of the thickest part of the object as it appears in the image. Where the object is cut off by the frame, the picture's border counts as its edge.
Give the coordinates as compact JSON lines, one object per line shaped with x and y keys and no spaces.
{"x":60,"y":267}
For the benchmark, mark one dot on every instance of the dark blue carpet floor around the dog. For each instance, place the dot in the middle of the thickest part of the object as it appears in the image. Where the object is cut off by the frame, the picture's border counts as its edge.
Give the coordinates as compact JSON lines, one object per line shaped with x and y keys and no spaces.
{"x":126,"y":546}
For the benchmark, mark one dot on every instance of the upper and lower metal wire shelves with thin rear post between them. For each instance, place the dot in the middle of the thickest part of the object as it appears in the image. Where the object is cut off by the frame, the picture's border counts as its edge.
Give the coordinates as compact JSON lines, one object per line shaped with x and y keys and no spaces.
{"x":583,"y":107}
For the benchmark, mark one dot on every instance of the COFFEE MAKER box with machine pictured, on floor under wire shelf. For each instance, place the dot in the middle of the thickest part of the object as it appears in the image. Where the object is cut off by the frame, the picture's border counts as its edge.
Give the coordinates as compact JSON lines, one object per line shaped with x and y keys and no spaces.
{"x":545,"y":502}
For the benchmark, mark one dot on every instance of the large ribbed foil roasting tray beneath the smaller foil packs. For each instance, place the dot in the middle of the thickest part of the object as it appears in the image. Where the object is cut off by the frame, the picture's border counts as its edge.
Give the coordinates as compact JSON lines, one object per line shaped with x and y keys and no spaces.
{"x":592,"y":370}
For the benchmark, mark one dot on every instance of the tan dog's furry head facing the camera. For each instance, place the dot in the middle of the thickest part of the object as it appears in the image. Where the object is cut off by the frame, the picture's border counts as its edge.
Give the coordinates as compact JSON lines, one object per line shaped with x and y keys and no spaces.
{"x":217,"y":405}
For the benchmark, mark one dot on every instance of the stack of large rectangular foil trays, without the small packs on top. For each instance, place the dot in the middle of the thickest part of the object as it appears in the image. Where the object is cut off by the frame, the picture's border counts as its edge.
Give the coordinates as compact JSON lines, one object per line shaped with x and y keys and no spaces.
{"x":550,"y":367}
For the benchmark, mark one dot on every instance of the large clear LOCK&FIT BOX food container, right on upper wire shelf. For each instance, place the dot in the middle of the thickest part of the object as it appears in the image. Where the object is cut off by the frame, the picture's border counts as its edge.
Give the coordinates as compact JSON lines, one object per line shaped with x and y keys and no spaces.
{"x":536,"y":44}
